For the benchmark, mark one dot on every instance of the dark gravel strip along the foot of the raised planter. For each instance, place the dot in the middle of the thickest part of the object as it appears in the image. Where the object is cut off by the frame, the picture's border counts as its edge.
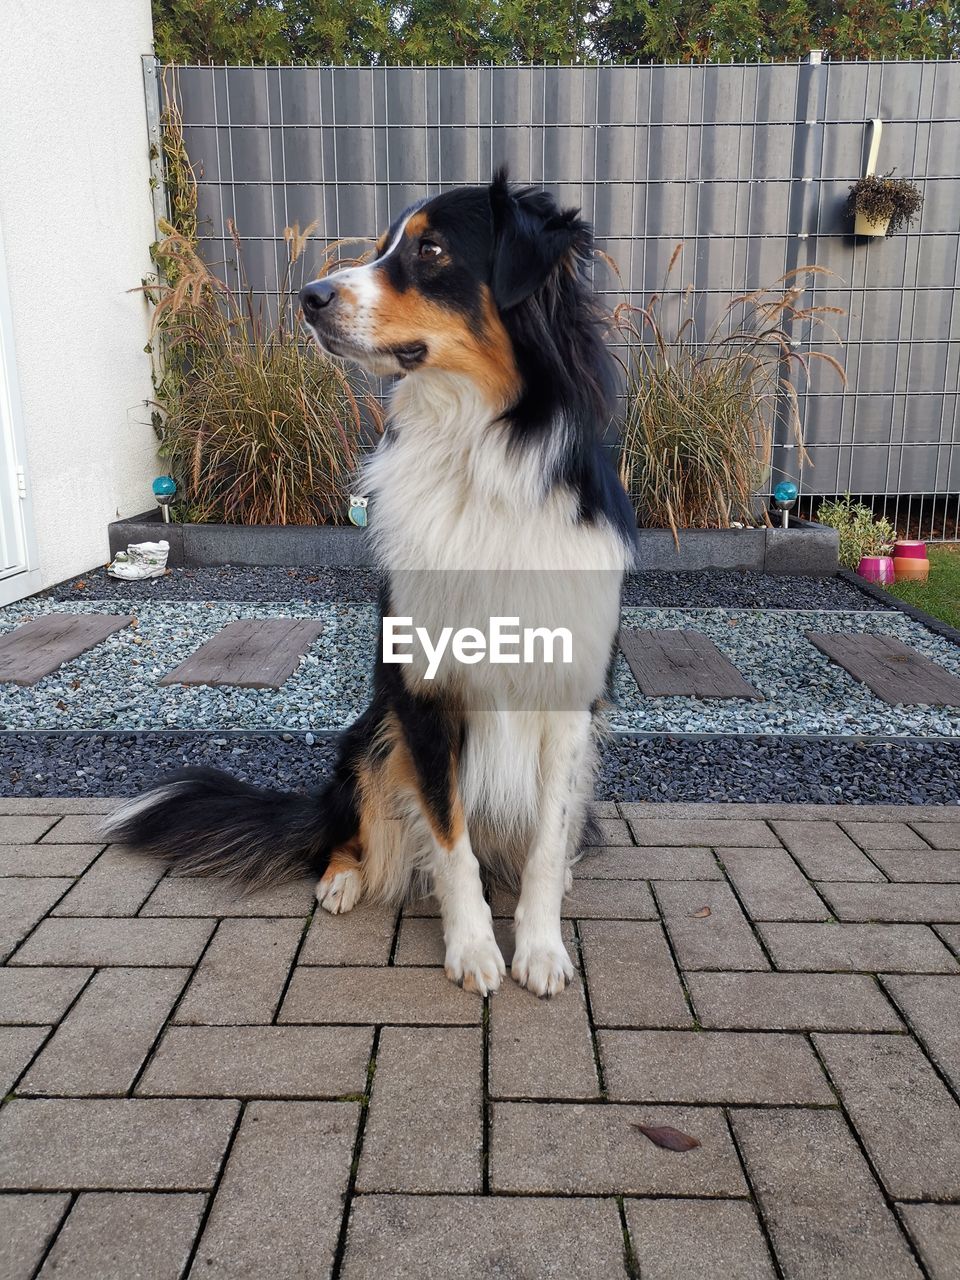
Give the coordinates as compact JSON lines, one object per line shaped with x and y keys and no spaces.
{"x":714,"y":589}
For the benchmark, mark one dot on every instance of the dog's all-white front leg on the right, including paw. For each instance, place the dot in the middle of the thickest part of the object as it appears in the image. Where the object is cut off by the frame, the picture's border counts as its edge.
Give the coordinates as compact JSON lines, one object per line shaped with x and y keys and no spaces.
{"x":541,"y":961}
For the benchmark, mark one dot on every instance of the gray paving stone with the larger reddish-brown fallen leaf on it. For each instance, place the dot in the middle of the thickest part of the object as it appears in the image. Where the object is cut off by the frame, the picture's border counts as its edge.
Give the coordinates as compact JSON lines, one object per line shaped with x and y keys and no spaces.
{"x":592,"y":1149}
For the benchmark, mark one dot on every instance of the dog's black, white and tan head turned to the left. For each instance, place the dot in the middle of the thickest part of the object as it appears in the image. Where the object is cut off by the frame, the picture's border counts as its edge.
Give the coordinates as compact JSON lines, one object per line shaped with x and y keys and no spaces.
{"x":446,"y":277}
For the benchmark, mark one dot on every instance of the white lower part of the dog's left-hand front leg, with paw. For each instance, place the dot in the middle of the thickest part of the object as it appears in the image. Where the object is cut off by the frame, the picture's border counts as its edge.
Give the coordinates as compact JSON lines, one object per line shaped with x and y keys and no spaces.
{"x":472,"y":954}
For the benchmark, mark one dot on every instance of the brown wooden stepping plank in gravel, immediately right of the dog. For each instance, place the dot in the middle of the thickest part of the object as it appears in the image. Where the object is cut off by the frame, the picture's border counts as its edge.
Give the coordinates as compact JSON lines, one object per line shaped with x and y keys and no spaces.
{"x":682,"y":665}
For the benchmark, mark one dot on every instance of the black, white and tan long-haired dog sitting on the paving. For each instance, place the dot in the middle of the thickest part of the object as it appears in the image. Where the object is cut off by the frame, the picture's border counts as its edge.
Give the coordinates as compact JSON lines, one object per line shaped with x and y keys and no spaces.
{"x":491,"y":490}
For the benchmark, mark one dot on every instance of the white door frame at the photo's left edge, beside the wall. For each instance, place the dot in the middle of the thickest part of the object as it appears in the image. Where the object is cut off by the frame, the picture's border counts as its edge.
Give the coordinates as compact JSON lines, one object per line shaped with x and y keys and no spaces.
{"x":15,"y":487}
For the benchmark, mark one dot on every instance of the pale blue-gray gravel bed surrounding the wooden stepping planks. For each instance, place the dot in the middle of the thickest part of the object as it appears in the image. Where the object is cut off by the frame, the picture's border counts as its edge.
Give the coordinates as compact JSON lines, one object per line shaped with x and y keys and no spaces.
{"x":116,"y":685}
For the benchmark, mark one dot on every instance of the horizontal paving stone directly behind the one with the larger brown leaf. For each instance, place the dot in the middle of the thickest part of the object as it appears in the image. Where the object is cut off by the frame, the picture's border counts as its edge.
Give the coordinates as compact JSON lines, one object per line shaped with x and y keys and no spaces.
{"x":712,"y":1067}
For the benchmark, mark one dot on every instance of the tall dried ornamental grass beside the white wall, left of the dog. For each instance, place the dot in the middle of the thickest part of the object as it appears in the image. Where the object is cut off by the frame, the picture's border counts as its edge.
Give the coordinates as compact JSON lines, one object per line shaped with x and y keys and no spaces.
{"x":258,"y":426}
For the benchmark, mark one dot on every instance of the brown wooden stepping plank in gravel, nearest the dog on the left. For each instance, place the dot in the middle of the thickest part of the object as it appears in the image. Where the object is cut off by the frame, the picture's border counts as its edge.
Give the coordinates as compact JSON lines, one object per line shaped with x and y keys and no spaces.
{"x":259,"y":653}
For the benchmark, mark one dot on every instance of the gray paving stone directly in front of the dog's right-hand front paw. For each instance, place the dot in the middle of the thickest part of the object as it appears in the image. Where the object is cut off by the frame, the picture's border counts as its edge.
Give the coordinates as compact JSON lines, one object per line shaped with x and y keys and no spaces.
{"x":542,"y":1049}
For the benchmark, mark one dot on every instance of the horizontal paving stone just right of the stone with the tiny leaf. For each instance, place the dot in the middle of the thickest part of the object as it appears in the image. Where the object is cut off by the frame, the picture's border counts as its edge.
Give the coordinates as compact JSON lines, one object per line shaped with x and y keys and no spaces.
{"x":858,"y":948}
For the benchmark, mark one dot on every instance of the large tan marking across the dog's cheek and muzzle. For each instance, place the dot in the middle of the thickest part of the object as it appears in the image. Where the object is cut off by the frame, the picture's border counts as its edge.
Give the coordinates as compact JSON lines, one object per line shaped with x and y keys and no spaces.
{"x":408,"y":319}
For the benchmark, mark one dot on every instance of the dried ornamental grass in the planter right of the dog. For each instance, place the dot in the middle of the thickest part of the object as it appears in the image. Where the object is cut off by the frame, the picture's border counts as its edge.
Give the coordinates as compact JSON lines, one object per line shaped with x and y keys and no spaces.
{"x":698,"y":432}
